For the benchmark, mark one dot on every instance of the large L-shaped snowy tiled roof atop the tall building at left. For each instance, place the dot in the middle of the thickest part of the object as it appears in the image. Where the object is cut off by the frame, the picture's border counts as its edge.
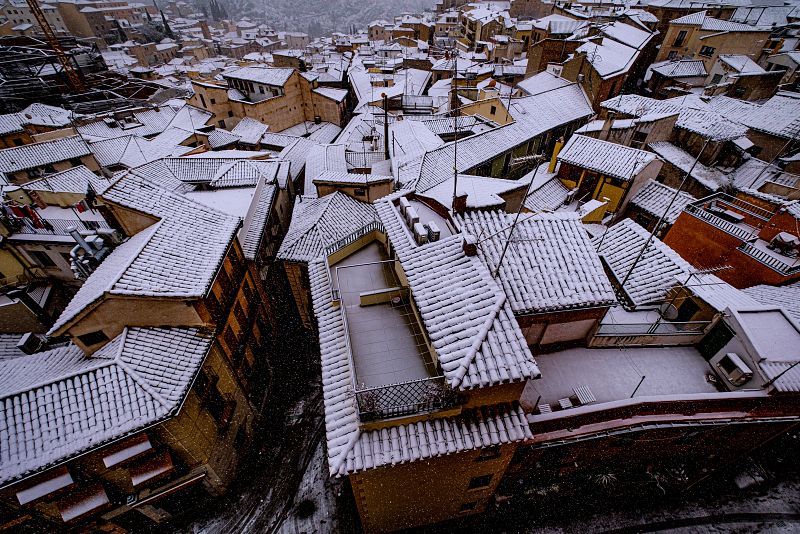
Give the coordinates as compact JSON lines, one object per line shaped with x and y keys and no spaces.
{"x":178,"y":256}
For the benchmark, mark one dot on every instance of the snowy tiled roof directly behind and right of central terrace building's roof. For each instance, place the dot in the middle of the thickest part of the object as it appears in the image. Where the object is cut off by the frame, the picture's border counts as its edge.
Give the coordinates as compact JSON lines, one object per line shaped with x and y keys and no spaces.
{"x":551,"y":265}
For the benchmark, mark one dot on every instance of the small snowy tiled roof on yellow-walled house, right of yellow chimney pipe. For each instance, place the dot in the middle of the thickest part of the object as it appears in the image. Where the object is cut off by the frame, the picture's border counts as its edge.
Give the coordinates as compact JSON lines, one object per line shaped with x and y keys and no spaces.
{"x":610,"y":159}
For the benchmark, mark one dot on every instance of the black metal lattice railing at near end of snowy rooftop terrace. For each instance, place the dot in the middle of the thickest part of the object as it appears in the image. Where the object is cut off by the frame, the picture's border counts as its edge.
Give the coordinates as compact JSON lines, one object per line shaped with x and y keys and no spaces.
{"x":406,"y":398}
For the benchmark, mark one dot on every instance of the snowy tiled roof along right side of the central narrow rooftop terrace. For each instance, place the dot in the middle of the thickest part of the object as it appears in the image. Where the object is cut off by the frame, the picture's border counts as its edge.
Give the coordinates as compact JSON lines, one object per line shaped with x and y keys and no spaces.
{"x":467,"y":316}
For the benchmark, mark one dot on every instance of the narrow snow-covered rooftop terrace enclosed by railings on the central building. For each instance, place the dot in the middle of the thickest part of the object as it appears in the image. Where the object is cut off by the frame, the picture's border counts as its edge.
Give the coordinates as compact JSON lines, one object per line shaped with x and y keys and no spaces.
{"x":394,"y":372}
